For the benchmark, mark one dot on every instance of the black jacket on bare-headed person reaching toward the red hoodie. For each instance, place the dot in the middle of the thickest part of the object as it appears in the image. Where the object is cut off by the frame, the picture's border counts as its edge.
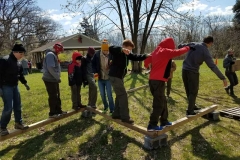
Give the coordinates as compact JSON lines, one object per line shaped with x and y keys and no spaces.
{"x":119,"y":61}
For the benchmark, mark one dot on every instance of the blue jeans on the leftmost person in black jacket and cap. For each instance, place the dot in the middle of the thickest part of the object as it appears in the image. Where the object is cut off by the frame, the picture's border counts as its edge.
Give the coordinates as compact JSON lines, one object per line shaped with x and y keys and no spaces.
{"x":12,"y":101}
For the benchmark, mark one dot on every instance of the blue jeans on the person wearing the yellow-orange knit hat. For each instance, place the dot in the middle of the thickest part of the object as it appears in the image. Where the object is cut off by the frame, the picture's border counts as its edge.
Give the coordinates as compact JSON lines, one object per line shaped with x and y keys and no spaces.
{"x":105,"y":85}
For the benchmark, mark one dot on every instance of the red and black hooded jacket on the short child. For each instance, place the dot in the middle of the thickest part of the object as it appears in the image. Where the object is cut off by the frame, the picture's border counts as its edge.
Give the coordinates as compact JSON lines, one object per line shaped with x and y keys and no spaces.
{"x":76,"y":73}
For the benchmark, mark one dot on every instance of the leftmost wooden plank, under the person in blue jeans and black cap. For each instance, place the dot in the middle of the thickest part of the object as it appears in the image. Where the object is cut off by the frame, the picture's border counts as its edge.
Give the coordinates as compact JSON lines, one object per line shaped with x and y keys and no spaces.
{"x":16,"y":132}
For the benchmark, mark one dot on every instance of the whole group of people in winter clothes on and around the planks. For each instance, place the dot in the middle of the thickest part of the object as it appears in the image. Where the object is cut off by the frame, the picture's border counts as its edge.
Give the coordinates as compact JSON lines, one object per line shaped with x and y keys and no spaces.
{"x":109,"y":66}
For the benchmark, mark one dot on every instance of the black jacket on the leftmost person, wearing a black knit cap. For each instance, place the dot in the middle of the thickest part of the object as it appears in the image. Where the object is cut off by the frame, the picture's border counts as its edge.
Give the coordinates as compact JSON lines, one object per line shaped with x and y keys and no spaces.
{"x":11,"y":71}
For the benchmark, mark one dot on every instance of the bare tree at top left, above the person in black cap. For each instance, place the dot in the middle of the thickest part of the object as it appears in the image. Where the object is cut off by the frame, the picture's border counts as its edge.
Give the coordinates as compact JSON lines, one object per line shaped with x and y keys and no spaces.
{"x":23,"y":20}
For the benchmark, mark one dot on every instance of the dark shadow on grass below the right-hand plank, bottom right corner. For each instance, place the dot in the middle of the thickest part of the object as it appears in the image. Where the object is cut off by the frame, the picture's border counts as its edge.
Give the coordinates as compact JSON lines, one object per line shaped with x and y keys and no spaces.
{"x":201,"y":147}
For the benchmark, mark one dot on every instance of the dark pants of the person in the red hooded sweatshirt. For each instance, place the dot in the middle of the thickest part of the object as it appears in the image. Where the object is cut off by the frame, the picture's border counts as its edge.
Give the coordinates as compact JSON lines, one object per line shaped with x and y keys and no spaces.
{"x":160,"y":110}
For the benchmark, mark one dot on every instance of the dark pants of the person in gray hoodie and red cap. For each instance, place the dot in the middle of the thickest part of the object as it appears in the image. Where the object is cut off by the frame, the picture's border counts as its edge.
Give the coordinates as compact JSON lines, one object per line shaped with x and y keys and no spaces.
{"x":54,"y":100}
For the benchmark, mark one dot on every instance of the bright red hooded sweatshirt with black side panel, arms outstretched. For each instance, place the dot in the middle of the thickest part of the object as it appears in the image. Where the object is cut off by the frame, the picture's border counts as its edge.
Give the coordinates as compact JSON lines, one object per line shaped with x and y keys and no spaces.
{"x":160,"y":59}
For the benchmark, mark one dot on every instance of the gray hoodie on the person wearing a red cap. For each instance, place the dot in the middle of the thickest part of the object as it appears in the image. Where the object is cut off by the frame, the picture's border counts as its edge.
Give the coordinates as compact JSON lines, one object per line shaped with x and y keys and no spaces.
{"x":51,"y":68}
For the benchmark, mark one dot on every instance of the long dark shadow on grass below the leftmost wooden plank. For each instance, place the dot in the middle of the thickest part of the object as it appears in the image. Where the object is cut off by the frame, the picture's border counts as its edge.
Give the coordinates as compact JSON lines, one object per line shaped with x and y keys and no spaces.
{"x":30,"y":147}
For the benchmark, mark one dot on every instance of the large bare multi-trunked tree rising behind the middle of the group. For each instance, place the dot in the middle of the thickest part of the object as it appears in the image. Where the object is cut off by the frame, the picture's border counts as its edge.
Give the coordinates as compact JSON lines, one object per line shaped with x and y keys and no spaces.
{"x":133,"y":18}
